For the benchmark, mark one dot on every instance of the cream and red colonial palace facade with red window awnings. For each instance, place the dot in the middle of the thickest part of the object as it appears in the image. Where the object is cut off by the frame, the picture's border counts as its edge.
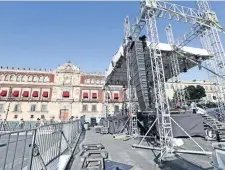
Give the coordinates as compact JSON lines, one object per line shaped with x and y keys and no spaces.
{"x":61,"y":93}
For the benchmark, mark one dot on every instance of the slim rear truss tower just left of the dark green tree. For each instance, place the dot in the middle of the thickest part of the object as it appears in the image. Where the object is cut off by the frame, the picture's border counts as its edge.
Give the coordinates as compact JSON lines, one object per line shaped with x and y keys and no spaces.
{"x":180,"y":95}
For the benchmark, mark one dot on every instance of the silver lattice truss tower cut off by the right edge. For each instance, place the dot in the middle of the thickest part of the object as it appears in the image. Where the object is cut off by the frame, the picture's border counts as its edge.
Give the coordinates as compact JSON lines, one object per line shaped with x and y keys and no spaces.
{"x":211,"y":42}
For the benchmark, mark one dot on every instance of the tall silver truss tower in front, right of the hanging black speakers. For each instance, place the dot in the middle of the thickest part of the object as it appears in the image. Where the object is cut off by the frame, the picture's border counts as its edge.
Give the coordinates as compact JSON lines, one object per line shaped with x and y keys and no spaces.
{"x":161,"y":102}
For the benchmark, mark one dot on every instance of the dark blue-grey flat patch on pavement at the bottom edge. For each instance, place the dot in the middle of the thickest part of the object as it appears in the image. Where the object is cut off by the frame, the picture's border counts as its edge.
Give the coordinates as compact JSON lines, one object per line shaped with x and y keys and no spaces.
{"x":111,"y":165}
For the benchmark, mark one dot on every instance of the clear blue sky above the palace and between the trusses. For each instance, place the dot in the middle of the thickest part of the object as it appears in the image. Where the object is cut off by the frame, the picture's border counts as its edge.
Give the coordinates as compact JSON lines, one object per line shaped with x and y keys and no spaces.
{"x":46,"y":34}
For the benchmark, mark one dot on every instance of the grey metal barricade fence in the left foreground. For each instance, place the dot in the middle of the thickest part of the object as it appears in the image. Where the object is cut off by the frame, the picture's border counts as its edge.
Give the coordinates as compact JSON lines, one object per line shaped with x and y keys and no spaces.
{"x":38,"y":148}
